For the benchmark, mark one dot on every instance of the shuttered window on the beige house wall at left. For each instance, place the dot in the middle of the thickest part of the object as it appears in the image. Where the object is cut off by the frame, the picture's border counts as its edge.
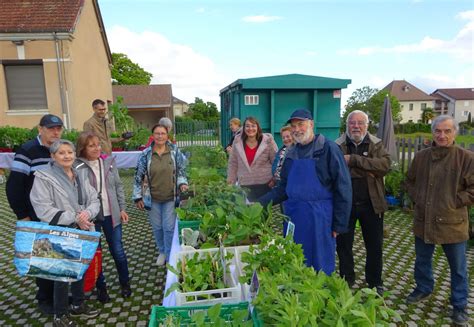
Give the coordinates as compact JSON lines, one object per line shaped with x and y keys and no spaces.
{"x":25,"y":85}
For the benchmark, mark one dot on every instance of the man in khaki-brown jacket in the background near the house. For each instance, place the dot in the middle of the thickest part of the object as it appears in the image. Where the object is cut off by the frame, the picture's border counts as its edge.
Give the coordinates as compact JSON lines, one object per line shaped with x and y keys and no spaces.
{"x":100,"y":126}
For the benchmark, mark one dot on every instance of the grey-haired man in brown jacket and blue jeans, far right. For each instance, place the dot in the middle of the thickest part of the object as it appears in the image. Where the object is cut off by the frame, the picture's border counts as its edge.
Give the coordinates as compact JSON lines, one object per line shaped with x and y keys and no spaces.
{"x":440,"y":183}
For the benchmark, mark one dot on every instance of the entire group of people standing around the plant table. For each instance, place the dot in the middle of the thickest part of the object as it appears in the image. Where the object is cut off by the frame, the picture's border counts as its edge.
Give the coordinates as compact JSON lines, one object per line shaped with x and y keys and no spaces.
{"x":325,"y":187}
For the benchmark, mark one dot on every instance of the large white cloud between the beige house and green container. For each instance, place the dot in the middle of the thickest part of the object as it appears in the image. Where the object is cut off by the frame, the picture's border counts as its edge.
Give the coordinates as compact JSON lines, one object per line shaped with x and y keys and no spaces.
{"x":190,"y":73}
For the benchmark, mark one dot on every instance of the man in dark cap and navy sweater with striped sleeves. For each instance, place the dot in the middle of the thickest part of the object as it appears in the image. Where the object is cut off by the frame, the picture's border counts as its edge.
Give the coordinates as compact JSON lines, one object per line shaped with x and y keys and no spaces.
{"x":30,"y":157}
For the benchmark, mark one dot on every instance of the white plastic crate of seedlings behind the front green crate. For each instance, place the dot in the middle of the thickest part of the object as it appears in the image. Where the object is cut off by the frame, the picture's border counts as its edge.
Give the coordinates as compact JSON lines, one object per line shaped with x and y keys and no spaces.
{"x":231,"y":294}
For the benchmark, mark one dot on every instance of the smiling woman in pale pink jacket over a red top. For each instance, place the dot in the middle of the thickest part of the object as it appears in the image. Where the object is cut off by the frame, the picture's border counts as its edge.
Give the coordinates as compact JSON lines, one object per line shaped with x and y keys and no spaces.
{"x":250,"y":164}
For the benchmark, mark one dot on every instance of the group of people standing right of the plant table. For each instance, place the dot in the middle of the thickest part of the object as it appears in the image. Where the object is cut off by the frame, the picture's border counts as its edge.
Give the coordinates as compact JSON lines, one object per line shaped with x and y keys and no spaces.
{"x":327,"y":187}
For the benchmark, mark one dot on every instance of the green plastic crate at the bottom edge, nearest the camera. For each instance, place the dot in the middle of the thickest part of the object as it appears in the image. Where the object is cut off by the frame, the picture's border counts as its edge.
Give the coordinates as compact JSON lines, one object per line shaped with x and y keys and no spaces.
{"x":159,"y":313}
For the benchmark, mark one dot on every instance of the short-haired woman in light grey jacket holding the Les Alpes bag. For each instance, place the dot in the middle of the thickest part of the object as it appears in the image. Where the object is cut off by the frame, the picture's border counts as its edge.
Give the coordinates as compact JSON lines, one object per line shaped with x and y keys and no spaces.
{"x":60,"y":190}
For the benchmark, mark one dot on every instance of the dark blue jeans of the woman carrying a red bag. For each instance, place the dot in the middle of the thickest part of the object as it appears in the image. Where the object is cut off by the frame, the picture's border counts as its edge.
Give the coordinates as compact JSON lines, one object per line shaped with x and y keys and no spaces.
{"x":114,"y":240}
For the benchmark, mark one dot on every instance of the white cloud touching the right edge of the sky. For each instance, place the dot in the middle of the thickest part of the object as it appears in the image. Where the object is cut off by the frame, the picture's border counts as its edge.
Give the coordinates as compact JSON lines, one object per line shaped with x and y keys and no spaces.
{"x":459,"y":47}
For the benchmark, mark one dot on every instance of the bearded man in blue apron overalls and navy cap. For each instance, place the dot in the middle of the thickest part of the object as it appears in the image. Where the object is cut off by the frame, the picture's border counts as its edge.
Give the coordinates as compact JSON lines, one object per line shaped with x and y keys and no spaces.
{"x":316,"y":184}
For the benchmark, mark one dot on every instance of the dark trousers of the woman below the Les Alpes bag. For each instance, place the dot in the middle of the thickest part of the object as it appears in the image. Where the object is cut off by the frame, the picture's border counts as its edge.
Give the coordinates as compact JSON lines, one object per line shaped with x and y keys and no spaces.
{"x":61,"y":296}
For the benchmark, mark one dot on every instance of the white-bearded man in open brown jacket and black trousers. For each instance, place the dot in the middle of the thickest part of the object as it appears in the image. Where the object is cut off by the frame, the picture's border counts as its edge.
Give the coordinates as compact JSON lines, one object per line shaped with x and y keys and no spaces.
{"x":368,"y":163}
